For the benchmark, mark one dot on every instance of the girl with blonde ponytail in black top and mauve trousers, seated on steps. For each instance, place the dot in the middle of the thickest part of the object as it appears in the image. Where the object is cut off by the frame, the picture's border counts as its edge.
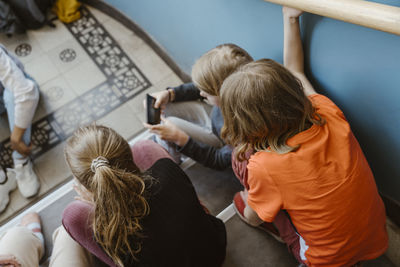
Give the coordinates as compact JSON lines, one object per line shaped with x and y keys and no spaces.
{"x":137,"y":207}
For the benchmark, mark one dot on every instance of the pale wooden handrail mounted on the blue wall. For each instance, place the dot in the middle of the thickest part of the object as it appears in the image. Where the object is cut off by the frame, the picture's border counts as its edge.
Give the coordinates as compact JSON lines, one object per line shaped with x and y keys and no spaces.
{"x":369,"y":14}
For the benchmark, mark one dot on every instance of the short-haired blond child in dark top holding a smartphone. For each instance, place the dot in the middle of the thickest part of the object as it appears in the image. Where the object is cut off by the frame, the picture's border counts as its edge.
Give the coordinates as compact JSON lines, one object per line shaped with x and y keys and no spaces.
{"x":192,"y":127}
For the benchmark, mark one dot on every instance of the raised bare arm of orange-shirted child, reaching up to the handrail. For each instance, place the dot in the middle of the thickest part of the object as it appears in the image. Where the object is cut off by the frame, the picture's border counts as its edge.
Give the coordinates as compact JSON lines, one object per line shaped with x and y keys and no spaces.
{"x":293,"y":56}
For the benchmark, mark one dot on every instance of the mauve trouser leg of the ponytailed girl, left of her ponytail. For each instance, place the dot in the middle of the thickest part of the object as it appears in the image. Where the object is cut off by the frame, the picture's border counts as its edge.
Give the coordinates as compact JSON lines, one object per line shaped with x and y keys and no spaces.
{"x":77,"y":221}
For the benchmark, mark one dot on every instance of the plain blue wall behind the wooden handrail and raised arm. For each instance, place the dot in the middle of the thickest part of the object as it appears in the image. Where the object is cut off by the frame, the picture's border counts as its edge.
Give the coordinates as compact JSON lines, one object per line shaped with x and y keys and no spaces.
{"x":357,"y":67}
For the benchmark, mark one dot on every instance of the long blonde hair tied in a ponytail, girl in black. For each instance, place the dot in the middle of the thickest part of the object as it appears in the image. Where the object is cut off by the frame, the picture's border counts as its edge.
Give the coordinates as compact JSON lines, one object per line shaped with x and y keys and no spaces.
{"x":116,"y":185}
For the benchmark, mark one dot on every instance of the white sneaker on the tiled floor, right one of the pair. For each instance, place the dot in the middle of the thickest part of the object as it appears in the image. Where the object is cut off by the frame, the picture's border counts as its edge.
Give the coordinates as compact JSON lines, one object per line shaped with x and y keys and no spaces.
{"x":28,"y":182}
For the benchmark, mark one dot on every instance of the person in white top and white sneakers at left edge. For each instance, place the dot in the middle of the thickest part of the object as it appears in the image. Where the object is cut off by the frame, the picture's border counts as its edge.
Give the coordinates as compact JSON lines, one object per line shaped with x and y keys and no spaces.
{"x":19,"y":97}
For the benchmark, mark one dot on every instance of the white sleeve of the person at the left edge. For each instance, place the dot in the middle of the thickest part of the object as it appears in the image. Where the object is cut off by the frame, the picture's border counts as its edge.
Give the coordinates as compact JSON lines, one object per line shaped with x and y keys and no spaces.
{"x":26,"y":97}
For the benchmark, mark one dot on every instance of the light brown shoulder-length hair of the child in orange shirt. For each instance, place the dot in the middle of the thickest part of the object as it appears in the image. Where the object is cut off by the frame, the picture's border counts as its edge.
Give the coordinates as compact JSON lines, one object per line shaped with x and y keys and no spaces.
{"x":264,"y":105}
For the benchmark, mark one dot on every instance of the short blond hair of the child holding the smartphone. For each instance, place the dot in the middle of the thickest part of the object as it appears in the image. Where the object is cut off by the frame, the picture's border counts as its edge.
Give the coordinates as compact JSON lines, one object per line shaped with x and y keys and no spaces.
{"x":212,"y":68}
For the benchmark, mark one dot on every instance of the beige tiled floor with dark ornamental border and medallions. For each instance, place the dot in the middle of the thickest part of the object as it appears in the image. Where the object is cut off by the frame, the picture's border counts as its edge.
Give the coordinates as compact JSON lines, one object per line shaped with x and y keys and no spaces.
{"x":94,"y":69}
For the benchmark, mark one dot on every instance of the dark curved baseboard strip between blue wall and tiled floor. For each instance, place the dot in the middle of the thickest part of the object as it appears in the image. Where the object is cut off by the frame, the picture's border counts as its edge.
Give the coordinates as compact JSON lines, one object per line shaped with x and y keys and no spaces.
{"x":130,"y":24}
